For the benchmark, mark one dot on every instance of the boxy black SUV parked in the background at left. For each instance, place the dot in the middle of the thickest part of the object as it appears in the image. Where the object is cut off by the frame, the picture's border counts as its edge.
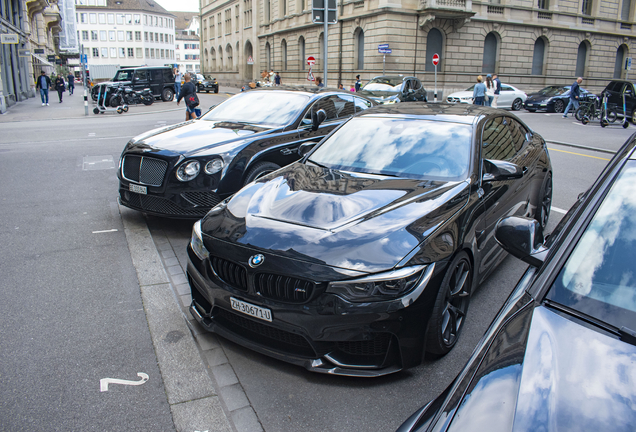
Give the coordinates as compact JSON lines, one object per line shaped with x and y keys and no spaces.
{"x":159,"y":79}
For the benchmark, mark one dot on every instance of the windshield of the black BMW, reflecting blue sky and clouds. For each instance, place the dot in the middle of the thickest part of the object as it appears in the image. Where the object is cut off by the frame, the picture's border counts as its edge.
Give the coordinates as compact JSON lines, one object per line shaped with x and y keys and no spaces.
{"x":399,"y":147}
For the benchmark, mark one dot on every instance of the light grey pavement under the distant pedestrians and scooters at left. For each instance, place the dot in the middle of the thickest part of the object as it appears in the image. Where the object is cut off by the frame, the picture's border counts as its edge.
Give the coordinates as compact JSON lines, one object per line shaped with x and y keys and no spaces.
{"x":73,"y":106}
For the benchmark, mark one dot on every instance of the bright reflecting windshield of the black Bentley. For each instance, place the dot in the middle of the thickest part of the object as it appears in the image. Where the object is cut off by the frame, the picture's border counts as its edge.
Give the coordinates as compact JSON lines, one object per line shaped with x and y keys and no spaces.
{"x":271,"y":108}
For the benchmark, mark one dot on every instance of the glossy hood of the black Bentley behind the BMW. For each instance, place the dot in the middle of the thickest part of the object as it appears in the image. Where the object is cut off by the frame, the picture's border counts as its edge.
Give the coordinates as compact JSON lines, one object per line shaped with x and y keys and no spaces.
{"x":192,"y":137}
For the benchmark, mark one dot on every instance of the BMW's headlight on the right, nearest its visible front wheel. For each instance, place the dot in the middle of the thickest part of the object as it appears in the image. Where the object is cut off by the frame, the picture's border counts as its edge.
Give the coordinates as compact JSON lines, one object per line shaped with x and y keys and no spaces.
{"x":378,"y":287}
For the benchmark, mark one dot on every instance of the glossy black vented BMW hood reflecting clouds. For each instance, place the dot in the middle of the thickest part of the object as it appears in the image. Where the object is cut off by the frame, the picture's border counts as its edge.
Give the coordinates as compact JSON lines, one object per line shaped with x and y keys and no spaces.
{"x":349,"y":220}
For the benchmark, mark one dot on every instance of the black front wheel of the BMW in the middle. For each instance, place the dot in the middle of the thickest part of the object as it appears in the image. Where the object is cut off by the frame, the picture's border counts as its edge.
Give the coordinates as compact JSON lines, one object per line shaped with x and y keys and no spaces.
{"x":451,"y":305}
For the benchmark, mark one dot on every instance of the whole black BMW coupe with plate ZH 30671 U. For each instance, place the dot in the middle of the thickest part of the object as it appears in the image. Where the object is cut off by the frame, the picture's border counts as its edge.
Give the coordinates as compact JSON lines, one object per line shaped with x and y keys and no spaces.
{"x":364,"y":254}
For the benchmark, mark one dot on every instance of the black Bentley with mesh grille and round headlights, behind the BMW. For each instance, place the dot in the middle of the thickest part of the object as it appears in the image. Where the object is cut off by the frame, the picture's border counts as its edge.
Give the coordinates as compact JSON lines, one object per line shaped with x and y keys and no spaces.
{"x":185,"y":169}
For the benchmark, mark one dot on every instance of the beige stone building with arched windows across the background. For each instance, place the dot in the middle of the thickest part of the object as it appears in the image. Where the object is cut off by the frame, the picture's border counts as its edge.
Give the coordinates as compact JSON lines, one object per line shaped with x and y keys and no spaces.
{"x":529,"y":43}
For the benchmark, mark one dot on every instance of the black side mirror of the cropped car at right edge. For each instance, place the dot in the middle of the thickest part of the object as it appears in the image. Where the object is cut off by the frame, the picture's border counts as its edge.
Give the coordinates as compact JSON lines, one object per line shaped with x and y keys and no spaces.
{"x":522,"y":237}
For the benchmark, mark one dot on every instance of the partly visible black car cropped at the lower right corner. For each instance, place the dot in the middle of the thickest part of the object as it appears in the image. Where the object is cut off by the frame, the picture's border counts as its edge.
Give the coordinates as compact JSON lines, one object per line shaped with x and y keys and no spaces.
{"x":560,"y":354}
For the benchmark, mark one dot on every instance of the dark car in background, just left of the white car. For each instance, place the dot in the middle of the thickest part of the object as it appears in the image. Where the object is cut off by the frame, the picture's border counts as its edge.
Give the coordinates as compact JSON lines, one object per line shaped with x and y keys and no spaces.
{"x":388,"y":89}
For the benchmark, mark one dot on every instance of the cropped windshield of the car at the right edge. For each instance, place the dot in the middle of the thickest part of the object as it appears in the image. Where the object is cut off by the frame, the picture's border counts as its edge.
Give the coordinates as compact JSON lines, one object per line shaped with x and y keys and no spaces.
{"x":599,"y":277}
